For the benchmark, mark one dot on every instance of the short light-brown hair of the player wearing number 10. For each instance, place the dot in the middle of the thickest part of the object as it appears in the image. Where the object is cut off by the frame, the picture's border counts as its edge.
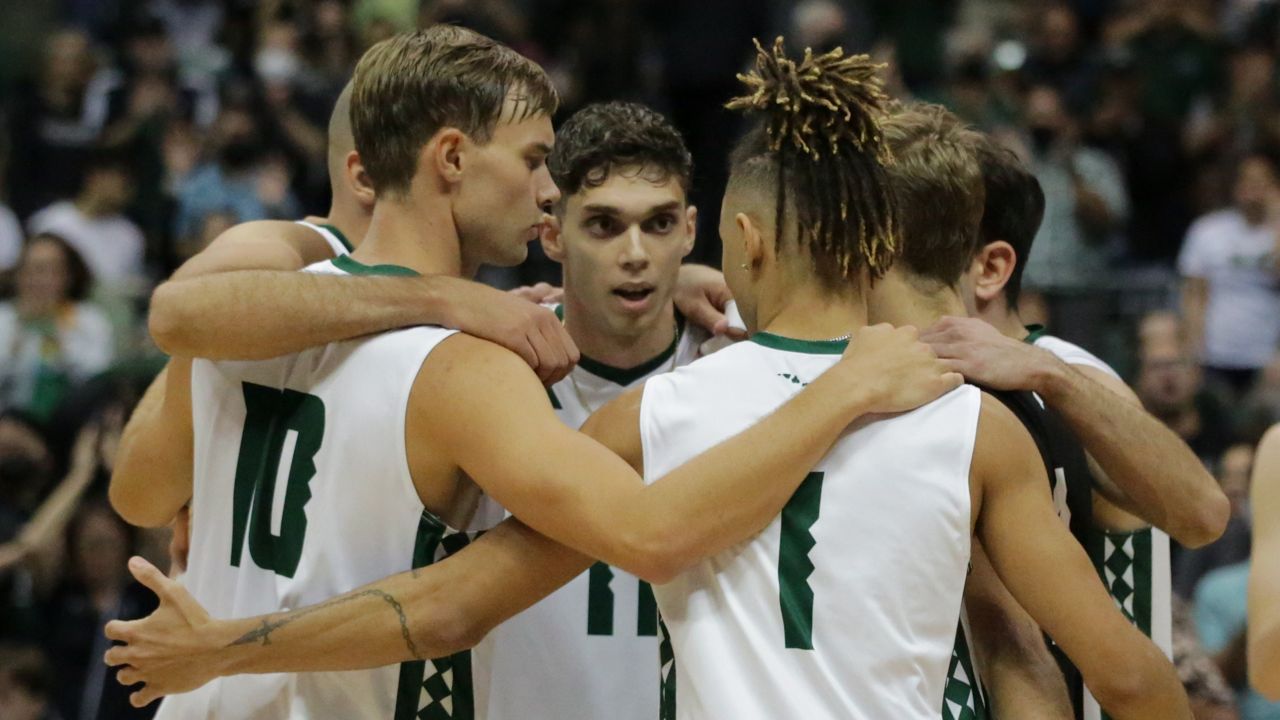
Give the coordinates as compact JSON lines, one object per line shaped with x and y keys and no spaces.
{"x":412,"y":85}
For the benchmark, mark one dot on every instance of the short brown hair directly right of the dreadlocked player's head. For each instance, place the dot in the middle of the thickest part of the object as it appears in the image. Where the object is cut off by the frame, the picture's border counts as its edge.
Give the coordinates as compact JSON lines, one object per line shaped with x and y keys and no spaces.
{"x":939,"y":185}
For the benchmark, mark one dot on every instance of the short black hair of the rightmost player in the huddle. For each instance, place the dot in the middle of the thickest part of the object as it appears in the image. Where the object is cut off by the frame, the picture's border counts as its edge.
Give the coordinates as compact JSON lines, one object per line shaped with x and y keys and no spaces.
{"x":1014,"y":208}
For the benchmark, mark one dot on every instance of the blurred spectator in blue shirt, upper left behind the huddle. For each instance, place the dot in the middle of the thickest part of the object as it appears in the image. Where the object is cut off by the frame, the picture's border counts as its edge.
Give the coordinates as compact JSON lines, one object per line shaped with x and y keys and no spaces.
{"x":239,"y":179}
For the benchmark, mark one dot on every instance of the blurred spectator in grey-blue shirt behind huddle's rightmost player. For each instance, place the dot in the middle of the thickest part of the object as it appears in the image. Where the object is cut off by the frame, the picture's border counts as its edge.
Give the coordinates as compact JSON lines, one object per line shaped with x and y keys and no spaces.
{"x":1085,"y":206}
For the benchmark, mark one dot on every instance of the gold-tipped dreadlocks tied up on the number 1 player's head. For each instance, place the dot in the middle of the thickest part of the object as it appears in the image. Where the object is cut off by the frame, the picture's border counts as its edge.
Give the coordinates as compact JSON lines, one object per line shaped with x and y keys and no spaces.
{"x":820,"y":154}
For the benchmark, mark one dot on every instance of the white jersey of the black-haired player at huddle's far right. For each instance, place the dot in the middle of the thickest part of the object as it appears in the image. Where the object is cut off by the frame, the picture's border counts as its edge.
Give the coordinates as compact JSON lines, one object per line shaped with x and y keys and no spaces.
{"x":1135,"y":567}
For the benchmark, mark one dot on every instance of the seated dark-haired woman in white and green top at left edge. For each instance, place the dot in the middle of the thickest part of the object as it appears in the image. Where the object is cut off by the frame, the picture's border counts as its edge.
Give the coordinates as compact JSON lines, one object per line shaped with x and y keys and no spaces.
{"x":49,"y":336}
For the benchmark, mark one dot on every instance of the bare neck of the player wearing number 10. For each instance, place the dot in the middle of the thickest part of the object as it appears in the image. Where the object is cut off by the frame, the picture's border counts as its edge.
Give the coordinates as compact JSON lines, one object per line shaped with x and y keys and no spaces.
{"x":419,"y":236}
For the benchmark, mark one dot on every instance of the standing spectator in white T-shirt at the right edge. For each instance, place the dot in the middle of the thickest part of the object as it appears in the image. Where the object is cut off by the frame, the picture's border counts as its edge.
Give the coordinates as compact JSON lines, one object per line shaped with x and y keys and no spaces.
{"x":1231,"y":288}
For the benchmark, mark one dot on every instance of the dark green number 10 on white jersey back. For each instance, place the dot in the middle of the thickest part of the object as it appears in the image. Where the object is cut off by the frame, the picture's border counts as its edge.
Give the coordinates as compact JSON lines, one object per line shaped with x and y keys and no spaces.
{"x":271,"y":418}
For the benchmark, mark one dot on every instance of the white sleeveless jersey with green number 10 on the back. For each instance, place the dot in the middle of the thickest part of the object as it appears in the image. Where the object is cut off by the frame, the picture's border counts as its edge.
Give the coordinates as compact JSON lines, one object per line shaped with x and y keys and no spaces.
{"x":303,"y":491}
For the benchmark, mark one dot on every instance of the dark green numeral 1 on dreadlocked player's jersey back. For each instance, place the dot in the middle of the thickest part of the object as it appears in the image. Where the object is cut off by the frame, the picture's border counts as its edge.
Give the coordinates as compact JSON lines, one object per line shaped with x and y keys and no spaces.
{"x":796,"y":595}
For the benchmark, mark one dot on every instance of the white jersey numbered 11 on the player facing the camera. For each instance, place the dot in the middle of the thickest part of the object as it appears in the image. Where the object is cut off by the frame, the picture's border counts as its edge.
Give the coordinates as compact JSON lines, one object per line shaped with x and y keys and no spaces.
{"x":591,"y":649}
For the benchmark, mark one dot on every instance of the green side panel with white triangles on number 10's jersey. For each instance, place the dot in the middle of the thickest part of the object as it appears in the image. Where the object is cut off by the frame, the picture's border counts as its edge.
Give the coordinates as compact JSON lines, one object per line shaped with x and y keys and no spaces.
{"x":440,"y":689}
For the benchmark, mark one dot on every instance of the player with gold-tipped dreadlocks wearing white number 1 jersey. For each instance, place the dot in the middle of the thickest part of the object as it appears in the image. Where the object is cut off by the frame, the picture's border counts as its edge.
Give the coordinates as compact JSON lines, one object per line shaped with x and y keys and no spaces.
{"x":845,"y":604}
